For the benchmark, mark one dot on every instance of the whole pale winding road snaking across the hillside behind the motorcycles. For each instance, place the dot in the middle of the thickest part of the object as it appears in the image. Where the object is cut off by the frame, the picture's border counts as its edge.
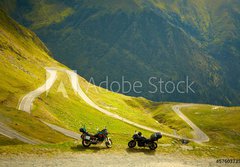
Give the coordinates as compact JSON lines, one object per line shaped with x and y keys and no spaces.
{"x":27,"y":100}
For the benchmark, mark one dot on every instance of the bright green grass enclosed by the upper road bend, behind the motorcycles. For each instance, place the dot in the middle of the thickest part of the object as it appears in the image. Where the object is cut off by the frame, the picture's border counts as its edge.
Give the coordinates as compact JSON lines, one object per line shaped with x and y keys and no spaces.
{"x":75,"y":113}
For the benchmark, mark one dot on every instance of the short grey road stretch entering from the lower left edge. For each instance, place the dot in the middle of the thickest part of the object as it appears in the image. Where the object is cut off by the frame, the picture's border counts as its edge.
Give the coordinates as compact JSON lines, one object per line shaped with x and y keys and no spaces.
{"x":12,"y":134}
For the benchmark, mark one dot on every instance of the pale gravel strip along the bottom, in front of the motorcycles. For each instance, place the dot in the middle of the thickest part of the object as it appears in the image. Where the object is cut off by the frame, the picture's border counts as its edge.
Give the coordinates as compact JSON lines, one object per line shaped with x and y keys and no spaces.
{"x":106,"y":160}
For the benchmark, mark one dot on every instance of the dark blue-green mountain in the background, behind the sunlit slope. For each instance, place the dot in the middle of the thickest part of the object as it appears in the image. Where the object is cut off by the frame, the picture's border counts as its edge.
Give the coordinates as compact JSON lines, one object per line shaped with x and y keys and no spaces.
{"x":141,"y":39}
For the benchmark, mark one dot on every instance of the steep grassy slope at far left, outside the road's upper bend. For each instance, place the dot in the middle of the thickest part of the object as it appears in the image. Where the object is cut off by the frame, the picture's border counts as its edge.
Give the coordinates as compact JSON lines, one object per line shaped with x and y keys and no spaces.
{"x":23,"y":58}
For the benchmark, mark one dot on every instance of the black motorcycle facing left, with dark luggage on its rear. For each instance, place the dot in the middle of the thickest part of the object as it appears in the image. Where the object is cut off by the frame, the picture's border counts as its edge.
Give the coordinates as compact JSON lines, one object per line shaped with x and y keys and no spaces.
{"x":143,"y":142}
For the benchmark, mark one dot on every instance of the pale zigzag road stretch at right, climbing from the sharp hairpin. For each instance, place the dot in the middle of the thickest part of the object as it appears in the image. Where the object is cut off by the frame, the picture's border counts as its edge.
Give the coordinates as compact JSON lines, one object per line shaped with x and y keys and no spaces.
{"x":200,"y":135}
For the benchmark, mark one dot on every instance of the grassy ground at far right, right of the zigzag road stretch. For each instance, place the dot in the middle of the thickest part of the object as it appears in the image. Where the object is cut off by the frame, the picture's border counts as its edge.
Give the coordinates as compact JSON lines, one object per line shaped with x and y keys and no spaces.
{"x":220,"y":124}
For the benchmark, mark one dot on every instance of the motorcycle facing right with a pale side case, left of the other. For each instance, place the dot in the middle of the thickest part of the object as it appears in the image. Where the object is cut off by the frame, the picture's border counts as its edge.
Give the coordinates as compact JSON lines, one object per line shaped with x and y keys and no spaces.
{"x":99,"y":138}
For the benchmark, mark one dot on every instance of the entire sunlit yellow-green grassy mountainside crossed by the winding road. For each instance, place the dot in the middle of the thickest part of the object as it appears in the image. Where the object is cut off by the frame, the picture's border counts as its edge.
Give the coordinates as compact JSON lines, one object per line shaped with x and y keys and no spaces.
{"x":22,"y":70}
